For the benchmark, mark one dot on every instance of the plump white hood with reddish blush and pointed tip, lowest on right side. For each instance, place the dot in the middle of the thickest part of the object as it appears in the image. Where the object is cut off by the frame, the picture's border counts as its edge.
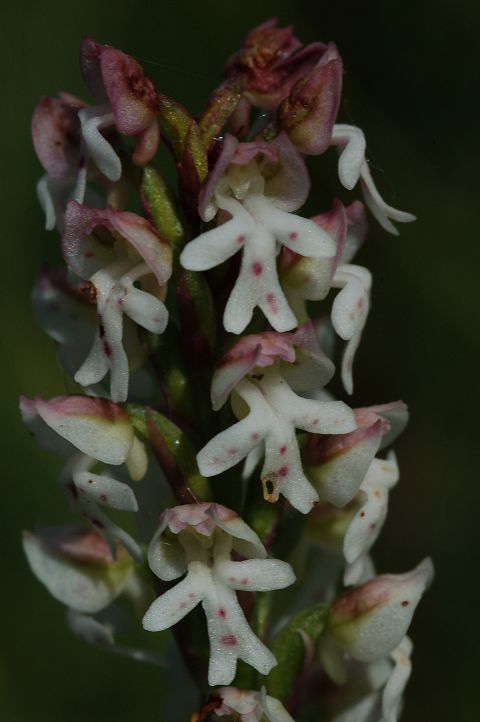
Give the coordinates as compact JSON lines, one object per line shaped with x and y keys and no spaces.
{"x":371,"y":620}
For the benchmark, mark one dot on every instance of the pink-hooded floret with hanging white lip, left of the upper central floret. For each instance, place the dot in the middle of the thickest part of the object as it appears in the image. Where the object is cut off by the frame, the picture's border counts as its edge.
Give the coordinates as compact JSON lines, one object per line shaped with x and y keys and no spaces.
{"x":111,"y":251}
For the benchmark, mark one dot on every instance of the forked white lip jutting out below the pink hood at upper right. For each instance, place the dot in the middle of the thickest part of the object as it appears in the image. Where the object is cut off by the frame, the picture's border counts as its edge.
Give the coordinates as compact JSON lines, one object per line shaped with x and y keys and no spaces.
{"x":353,"y":166}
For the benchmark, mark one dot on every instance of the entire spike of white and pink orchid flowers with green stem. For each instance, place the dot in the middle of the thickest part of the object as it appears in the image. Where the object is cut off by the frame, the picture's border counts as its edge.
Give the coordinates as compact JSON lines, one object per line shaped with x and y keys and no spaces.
{"x":140,"y":301}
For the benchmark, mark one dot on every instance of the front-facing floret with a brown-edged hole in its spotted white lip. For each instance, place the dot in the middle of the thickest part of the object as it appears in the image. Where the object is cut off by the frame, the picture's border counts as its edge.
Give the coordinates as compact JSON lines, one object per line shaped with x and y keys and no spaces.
{"x":253,"y":370}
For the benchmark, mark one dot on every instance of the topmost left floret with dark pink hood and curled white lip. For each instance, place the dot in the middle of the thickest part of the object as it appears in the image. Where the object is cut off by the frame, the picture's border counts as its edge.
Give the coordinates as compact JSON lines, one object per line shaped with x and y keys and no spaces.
{"x":126,"y":99}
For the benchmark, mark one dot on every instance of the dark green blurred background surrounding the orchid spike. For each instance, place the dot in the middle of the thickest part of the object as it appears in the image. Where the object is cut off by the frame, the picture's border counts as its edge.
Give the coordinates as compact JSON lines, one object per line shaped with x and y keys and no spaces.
{"x":411,"y":76}
